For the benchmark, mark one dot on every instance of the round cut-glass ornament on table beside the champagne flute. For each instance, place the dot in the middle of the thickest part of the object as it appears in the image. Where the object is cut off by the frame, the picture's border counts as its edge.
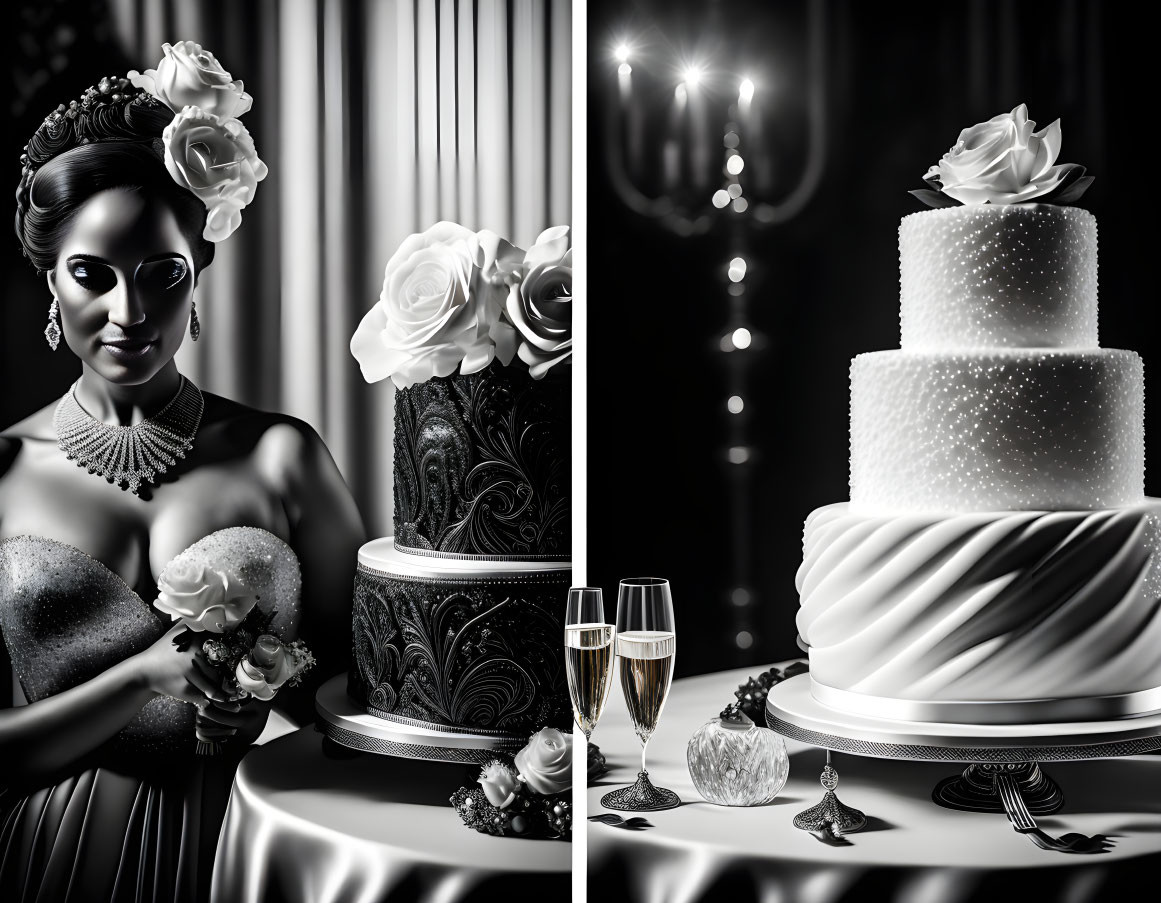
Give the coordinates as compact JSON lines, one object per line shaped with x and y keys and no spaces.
{"x":733,"y":762}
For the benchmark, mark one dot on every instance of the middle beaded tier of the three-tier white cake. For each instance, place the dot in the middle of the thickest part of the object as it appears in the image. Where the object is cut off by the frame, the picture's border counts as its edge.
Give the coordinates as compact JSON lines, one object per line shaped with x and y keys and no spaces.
{"x":991,"y":431}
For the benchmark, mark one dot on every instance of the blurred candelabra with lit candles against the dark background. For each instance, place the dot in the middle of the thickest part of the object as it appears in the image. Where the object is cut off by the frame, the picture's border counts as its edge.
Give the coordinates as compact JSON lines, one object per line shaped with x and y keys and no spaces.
{"x":694,"y":157}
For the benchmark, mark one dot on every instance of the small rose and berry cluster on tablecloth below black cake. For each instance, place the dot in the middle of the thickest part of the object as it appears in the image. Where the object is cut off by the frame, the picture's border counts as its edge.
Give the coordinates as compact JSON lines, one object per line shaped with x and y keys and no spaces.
{"x":527,"y":798}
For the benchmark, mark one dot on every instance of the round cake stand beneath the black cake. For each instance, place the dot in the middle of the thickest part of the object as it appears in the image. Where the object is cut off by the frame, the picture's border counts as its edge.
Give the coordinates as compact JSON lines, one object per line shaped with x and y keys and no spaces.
{"x":343,"y":723}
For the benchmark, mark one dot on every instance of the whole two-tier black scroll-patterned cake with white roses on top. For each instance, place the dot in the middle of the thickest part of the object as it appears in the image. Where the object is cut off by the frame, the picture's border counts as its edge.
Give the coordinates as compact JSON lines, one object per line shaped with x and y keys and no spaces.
{"x":458,"y":619}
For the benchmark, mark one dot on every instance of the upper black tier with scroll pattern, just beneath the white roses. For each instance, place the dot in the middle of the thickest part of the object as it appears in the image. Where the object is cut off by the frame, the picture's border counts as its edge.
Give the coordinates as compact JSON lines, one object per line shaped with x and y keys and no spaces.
{"x":482,"y":465}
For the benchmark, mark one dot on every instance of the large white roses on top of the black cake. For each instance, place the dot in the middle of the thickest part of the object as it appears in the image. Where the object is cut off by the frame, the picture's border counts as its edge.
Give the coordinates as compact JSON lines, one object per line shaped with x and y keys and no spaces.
{"x":455,"y":301}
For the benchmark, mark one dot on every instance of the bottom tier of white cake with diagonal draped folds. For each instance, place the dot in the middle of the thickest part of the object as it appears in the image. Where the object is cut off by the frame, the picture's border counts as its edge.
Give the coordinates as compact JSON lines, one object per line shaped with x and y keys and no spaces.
{"x":985,"y":618}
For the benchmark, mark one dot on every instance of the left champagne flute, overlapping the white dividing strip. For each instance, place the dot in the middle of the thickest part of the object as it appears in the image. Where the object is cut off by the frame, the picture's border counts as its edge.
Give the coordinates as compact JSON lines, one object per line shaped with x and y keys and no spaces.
{"x":589,"y":655}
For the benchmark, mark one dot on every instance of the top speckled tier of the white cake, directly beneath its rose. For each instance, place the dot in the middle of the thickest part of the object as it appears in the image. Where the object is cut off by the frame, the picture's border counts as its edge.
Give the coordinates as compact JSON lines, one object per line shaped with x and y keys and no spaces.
{"x":998,"y":277}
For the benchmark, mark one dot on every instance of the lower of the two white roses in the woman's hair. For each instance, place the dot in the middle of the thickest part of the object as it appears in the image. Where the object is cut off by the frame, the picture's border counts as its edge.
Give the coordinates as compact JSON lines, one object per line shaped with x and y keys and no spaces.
{"x":214,"y":158}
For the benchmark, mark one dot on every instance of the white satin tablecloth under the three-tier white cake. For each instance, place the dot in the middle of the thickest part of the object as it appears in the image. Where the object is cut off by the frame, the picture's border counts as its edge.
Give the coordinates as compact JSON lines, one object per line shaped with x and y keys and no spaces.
{"x":913,"y":851}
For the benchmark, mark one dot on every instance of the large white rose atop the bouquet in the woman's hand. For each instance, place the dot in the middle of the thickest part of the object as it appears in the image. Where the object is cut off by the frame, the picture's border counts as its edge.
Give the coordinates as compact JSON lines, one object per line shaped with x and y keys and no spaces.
{"x":203,"y":598}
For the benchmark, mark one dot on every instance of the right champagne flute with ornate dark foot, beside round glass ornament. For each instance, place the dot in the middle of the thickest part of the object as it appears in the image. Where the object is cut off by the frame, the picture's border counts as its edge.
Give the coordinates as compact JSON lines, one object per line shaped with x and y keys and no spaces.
{"x":646,"y":646}
